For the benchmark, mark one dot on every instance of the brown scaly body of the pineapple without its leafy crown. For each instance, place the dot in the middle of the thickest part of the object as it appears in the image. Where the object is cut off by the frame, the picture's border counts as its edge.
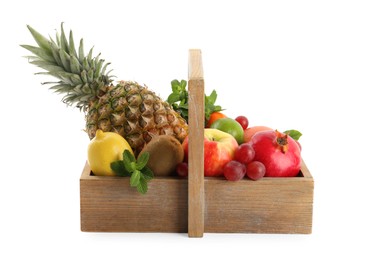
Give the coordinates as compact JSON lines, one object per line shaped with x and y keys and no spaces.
{"x":134,"y":112}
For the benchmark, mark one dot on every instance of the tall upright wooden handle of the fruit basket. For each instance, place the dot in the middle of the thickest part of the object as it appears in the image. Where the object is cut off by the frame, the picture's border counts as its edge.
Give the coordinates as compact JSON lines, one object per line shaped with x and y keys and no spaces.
{"x":196,"y":148}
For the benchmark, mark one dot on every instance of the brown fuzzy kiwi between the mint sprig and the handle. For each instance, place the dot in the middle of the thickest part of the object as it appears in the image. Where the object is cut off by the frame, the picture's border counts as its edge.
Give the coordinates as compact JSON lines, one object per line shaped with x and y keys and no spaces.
{"x":165,"y":153}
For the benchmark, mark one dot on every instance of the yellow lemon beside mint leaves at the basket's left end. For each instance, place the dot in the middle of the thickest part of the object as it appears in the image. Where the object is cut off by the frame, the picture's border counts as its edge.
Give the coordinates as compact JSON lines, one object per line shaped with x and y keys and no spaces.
{"x":103,"y":149}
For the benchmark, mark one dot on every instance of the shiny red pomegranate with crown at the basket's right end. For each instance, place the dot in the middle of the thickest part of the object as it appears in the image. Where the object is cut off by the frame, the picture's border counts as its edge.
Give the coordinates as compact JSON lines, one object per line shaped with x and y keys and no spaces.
{"x":279,"y":153}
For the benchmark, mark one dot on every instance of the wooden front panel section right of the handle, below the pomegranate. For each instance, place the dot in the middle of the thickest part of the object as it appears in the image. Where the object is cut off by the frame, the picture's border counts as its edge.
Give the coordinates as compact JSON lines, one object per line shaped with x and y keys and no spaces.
{"x":269,"y":205}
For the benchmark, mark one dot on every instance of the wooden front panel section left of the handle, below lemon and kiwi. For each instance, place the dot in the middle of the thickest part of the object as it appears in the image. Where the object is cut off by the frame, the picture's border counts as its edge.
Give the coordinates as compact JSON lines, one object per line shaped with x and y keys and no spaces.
{"x":109,"y":204}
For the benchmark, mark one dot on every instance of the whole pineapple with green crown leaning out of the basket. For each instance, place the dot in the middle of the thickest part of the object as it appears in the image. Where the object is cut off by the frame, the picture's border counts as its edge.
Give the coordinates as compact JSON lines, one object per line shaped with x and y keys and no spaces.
{"x":126,"y":108}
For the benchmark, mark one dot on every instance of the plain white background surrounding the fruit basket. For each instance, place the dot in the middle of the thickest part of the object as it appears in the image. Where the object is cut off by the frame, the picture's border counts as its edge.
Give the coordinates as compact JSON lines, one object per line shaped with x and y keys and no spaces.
{"x":308,"y":65}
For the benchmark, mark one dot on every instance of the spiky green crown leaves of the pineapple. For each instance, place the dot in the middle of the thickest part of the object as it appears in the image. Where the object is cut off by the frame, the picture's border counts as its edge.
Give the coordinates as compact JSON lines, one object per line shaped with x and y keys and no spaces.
{"x":80,"y":77}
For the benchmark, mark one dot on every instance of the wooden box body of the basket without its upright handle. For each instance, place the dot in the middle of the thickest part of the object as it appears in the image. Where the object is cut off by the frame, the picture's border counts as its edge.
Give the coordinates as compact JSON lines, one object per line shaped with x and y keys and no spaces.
{"x":269,"y":205}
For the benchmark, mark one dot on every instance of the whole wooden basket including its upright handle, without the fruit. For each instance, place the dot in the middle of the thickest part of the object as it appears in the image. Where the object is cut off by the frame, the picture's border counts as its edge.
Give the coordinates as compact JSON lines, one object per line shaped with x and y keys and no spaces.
{"x":197,"y":204}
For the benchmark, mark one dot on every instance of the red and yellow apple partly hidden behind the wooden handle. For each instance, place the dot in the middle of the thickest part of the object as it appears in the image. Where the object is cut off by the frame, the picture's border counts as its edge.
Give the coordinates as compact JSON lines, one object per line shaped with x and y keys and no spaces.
{"x":219,"y":148}
